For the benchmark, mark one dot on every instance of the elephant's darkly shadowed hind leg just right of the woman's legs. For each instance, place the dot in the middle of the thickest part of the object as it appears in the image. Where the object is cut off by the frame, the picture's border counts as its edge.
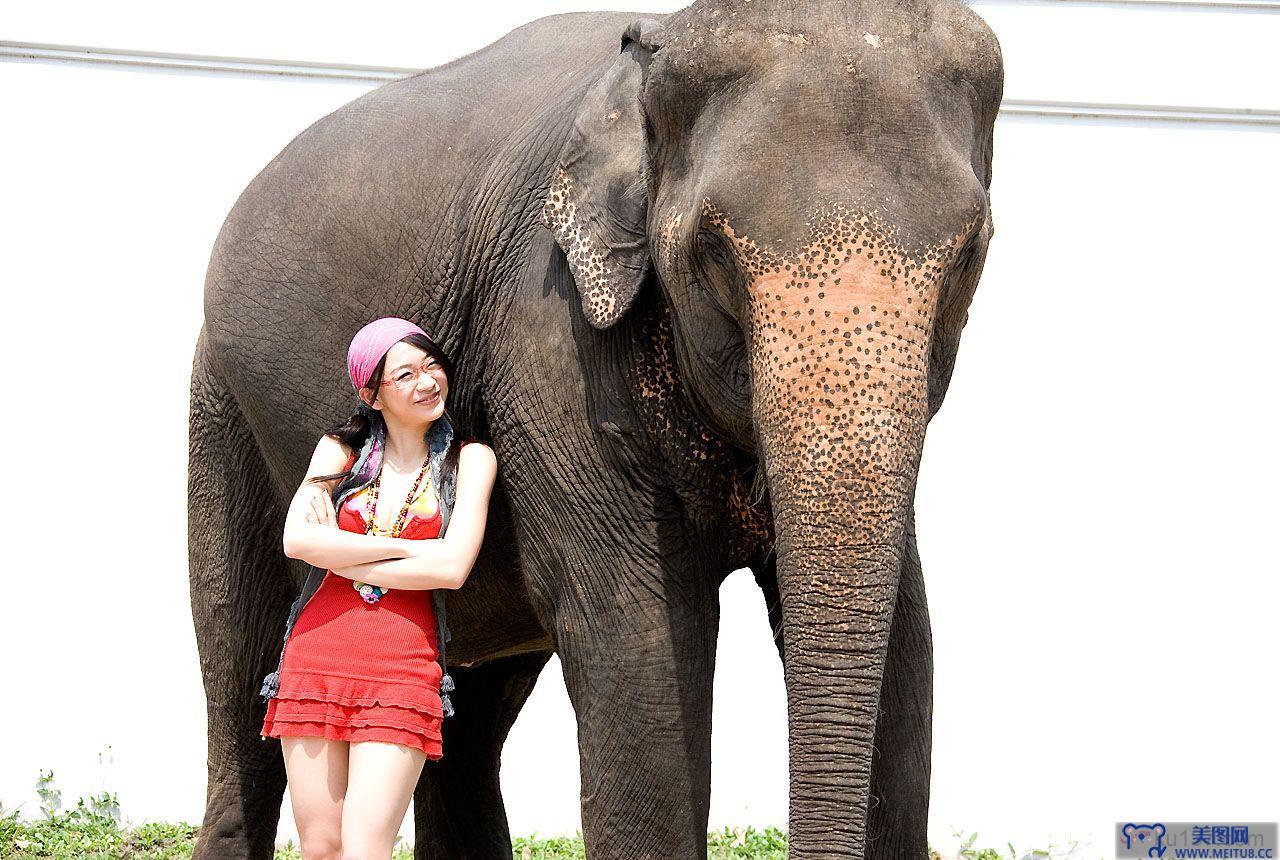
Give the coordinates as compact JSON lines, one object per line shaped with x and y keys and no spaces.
{"x":459,"y":813}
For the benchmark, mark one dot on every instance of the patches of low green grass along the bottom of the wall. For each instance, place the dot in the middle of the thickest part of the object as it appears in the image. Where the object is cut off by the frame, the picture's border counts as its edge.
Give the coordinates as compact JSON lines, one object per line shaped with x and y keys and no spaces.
{"x":92,"y":831}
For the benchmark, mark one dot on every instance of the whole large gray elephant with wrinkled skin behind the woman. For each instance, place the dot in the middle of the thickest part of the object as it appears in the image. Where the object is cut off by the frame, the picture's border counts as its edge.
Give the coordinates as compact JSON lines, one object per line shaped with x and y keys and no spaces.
{"x":705,"y":294}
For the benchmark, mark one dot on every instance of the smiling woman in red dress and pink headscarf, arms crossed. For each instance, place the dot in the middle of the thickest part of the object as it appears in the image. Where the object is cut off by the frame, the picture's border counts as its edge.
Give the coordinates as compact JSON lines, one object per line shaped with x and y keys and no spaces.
{"x":358,"y":699}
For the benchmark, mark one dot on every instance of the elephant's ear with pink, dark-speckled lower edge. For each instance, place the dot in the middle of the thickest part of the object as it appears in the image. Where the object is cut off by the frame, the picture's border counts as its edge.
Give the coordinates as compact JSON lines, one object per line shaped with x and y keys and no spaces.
{"x":598,"y":203}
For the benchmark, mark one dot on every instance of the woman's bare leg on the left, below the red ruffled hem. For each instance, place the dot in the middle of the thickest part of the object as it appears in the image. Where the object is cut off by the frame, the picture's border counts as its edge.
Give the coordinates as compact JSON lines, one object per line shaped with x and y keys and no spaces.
{"x":318,"y":786}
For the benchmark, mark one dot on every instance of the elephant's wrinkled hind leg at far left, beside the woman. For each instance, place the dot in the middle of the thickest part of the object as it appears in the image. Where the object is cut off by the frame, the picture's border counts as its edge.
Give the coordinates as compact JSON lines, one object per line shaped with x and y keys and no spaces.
{"x":240,"y":597}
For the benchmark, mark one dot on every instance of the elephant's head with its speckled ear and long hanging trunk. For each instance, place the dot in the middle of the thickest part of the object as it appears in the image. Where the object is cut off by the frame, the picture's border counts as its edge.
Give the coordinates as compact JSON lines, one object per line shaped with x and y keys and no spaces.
{"x":808,"y":185}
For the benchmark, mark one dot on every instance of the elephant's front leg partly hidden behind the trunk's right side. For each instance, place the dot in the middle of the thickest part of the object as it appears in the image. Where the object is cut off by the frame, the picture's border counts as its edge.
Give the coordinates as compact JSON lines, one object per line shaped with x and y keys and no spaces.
{"x":899,"y":806}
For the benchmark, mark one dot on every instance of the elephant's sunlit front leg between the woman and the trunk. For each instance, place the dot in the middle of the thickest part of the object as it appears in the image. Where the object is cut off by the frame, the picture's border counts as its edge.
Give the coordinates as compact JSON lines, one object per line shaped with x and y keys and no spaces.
{"x":638,"y":646}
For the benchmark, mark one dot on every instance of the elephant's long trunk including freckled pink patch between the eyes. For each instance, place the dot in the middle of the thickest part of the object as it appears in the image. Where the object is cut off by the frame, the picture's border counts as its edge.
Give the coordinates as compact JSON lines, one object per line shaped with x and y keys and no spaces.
{"x":839,"y":342}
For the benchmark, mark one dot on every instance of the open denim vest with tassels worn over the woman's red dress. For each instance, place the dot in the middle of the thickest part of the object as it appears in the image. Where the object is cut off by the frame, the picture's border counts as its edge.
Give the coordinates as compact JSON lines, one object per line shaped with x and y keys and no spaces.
{"x":363,"y":472}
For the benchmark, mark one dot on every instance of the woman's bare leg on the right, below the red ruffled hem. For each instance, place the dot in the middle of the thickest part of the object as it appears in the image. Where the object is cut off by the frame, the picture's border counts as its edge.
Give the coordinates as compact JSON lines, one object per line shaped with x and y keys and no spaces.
{"x":381,"y":784}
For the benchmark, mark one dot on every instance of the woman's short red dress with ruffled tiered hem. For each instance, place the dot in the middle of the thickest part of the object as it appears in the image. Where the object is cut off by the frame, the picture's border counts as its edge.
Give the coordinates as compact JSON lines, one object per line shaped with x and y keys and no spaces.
{"x":358,"y":671}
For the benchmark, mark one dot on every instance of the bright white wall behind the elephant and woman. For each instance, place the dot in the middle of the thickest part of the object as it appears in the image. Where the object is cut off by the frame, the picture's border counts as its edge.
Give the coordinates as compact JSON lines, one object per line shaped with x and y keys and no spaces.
{"x":1096,"y":498}
